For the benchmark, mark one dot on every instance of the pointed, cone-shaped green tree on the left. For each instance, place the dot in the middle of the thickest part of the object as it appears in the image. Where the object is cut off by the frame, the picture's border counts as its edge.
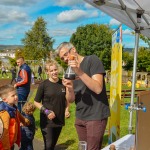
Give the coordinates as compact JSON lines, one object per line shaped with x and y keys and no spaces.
{"x":37,"y":42}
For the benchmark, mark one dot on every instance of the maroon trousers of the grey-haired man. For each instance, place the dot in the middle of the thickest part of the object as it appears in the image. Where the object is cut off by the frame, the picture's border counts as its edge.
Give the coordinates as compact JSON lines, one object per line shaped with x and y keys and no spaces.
{"x":92,"y":132}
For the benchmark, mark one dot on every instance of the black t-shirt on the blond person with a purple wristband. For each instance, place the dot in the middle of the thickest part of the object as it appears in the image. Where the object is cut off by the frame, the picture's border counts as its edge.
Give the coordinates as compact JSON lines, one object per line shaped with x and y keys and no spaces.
{"x":52,"y":96}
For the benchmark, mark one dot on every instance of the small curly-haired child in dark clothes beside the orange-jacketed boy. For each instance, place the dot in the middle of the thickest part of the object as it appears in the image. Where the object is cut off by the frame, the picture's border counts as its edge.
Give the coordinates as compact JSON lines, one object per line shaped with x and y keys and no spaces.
{"x":27,"y":133}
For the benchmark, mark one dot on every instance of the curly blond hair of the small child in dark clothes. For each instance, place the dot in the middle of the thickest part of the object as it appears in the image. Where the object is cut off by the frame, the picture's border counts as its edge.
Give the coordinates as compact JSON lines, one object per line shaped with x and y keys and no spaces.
{"x":28,"y":108}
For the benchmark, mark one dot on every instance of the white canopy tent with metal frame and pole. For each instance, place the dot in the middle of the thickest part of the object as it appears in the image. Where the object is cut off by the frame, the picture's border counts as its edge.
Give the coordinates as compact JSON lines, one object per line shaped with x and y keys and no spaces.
{"x":136,"y":15}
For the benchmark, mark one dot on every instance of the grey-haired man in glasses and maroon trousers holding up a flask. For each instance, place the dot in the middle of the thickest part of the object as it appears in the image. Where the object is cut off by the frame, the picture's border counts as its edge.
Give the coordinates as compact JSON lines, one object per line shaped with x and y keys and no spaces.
{"x":92,"y":107}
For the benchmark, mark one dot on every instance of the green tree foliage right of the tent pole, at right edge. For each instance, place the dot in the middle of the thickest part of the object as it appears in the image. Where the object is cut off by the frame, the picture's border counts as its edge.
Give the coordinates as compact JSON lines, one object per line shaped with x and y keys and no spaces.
{"x":143,"y":63}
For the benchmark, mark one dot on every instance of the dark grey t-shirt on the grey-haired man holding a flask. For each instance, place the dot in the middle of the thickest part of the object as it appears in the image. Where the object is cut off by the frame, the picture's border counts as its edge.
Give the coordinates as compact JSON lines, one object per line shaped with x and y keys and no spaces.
{"x":89,"y":105}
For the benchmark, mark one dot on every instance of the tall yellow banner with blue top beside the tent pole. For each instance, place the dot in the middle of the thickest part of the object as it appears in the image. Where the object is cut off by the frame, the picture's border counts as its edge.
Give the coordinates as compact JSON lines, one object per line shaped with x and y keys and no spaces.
{"x":115,"y":85}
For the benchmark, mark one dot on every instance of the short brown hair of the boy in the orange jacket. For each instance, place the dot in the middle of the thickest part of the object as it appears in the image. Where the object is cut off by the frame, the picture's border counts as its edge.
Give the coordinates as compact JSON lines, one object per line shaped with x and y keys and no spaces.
{"x":5,"y":89}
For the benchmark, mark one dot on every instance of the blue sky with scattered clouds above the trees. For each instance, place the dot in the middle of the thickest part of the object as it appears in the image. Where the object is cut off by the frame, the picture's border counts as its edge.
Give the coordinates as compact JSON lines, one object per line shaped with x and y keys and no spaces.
{"x":62,"y":17}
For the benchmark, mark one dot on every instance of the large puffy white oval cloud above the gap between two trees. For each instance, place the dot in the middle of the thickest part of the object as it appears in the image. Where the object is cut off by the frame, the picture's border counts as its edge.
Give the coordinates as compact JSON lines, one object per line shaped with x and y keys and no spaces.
{"x":71,"y":15}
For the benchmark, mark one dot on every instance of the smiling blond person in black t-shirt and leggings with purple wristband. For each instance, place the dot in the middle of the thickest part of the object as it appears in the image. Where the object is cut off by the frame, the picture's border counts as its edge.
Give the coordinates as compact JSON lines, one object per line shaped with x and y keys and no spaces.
{"x":52,"y":99}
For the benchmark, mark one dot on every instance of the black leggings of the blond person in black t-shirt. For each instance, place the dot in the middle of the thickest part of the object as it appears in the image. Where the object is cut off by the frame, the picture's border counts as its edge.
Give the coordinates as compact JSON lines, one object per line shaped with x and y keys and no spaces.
{"x":50,"y":136}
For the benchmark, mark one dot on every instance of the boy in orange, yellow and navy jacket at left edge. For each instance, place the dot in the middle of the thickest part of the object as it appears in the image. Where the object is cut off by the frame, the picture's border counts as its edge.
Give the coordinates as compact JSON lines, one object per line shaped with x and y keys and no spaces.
{"x":10,"y":118}
